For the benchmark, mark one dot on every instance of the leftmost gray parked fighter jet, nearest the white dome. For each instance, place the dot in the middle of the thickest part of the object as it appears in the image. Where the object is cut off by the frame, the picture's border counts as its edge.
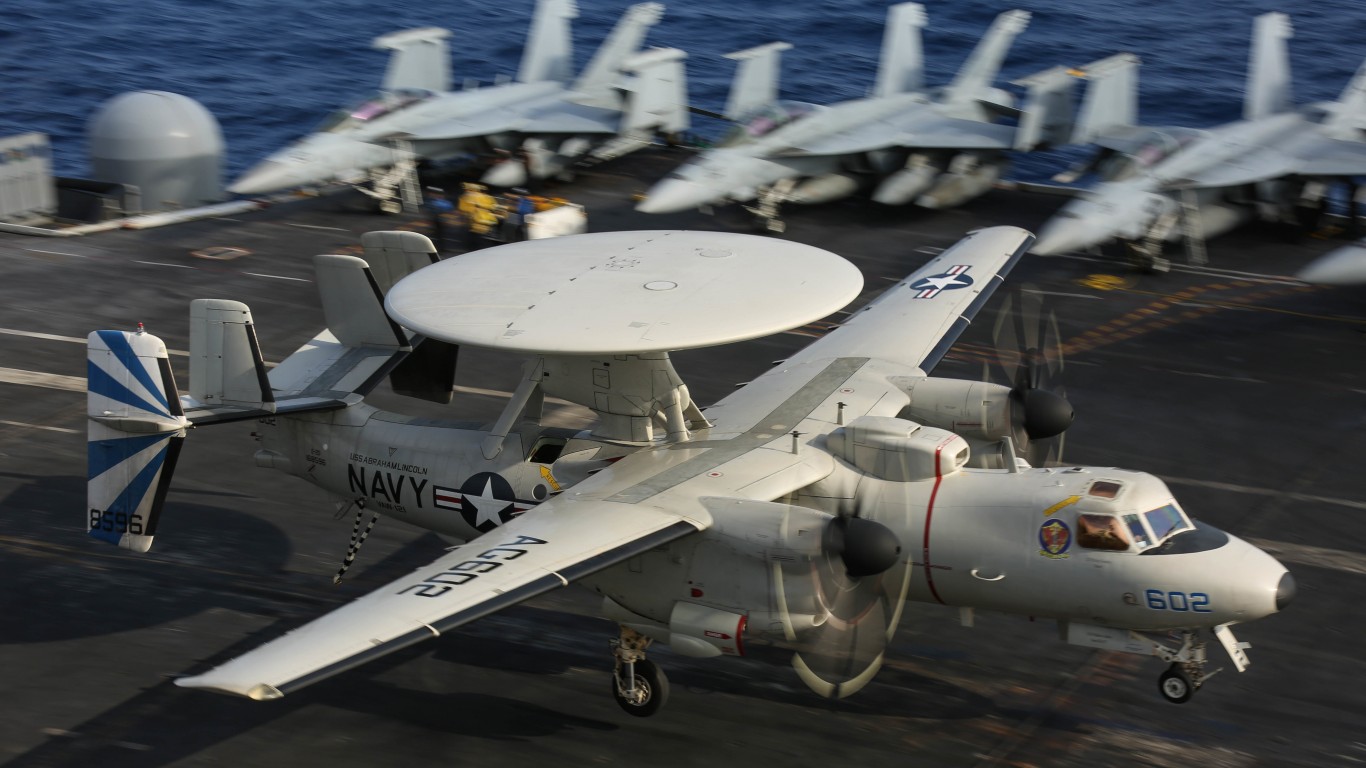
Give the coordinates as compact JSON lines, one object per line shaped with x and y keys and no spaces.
{"x":618,"y":105}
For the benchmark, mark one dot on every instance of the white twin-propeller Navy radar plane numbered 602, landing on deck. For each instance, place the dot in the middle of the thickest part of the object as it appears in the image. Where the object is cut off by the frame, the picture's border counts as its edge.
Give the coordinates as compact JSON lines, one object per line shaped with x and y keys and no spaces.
{"x":803,"y":510}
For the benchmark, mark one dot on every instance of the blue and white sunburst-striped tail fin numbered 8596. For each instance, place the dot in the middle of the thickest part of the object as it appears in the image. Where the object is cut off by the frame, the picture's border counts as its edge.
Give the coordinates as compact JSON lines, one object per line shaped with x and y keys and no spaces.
{"x":136,"y":428}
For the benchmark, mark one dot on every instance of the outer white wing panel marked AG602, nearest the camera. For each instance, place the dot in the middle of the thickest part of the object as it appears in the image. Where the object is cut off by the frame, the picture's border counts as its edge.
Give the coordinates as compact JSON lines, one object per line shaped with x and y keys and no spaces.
{"x":543,"y":550}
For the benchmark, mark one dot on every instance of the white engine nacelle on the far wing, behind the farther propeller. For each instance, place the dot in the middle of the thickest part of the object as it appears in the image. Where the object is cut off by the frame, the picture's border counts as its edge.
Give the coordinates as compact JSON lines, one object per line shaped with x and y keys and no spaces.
{"x":977,"y":411}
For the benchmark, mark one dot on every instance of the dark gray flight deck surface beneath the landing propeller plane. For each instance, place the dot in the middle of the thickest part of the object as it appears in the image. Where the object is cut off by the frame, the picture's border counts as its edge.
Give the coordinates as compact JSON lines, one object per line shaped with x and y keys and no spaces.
{"x":1246,"y":392}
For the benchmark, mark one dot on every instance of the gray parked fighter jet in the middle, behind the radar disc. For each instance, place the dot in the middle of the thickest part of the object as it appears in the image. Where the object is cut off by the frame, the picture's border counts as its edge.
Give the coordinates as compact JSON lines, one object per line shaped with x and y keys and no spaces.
{"x":938,"y":148}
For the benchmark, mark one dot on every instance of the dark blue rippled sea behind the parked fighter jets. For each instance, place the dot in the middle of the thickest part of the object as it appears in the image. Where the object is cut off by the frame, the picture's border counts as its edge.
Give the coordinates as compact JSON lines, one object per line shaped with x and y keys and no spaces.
{"x":270,"y":70}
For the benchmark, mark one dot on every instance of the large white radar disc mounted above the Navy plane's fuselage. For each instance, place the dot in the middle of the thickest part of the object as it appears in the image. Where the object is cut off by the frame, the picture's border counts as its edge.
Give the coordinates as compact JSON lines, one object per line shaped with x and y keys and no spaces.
{"x":625,"y":293}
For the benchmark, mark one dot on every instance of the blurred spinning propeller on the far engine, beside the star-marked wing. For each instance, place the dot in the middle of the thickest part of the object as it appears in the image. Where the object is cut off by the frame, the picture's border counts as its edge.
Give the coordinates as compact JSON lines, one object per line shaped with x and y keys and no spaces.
{"x":1029,"y":351}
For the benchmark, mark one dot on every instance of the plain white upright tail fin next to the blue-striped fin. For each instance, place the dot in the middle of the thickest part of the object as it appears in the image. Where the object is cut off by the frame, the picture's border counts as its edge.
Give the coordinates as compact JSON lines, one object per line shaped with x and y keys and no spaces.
{"x":226,"y":366}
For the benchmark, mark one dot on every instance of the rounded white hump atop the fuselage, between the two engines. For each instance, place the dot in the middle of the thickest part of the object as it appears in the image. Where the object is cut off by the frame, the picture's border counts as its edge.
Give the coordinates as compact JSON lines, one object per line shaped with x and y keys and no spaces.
{"x":898,"y":450}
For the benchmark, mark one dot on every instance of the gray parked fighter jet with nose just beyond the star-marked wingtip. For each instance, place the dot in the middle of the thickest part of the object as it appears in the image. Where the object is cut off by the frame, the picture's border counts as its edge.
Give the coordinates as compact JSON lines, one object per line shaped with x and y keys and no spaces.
{"x":1159,"y":185}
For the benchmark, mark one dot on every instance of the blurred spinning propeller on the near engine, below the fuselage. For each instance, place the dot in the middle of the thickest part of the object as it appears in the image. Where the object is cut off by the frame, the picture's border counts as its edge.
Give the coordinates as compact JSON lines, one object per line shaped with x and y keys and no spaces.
{"x":860,"y":588}
